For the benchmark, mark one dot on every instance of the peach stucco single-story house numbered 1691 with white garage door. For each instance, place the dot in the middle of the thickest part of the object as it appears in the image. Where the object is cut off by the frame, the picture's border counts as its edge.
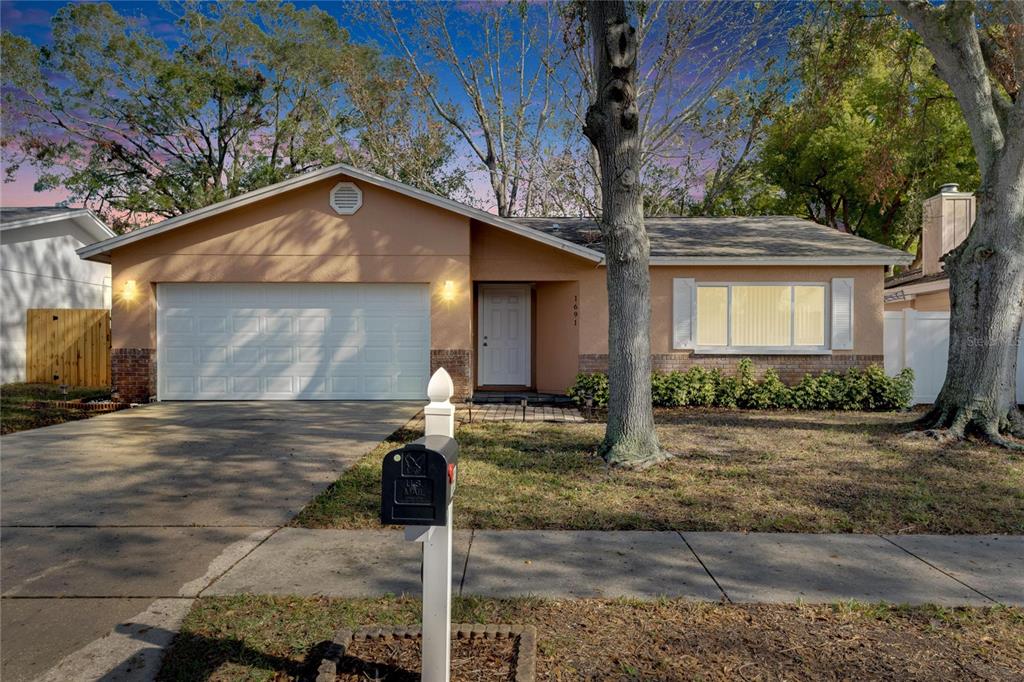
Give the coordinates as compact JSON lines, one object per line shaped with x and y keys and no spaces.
{"x":342,"y":284}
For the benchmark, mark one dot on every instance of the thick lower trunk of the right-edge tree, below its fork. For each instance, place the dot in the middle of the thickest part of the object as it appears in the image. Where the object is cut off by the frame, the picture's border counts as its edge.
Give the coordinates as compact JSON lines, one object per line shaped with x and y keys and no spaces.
{"x":987,"y":295}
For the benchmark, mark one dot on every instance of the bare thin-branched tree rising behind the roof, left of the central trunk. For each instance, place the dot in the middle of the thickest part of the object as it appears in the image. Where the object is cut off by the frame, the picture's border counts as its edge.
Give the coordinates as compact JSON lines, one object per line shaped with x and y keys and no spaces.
{"x":499,"y":58}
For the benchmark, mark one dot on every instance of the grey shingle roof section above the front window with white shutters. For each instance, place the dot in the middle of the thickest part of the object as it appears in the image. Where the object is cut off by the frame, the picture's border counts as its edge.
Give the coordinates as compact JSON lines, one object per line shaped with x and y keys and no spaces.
{"x":752,"y":238}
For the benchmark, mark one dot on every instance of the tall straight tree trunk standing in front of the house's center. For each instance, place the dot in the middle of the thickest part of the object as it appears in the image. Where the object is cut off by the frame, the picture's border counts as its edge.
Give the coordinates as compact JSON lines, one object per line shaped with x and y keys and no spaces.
{"x":630,"y":439}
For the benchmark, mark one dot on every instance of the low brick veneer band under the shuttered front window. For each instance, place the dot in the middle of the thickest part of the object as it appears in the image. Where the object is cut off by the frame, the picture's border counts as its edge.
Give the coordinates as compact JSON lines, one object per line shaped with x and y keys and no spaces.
{"x":791,"y":368}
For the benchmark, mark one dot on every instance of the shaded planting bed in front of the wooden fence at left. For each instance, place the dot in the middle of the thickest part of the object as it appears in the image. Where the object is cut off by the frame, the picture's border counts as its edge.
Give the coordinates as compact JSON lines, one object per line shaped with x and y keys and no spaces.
{"x":25,"y":407}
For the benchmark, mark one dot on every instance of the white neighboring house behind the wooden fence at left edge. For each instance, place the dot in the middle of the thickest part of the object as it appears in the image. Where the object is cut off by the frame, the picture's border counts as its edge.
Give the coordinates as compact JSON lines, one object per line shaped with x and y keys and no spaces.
{"x":40,"y":270}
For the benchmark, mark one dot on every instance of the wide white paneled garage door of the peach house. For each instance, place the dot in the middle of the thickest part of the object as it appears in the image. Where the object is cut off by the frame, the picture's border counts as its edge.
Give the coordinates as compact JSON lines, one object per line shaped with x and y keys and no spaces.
{"x":292,"y":342}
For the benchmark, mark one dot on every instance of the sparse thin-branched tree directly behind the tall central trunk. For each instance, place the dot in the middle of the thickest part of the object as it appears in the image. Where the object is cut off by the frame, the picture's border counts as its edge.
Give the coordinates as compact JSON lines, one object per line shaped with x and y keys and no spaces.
{"x":697,"y":110}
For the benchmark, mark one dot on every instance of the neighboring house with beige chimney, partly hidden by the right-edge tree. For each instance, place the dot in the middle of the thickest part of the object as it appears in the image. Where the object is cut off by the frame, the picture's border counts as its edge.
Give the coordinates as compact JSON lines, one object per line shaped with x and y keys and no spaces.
{"x":925,"y":286}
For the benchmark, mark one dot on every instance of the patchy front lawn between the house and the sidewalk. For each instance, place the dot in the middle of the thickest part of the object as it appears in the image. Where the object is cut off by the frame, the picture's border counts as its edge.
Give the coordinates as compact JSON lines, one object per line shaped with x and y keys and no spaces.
{"x":766,"y":472}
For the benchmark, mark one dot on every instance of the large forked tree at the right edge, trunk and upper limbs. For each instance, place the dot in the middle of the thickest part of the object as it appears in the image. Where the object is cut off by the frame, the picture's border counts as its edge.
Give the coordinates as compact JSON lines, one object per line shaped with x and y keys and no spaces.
{"x":979,"y":53}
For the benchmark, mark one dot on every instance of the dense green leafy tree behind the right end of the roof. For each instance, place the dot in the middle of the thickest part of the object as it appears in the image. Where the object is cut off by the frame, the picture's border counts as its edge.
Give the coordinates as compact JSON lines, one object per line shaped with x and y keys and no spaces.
{"x":872,"y":132}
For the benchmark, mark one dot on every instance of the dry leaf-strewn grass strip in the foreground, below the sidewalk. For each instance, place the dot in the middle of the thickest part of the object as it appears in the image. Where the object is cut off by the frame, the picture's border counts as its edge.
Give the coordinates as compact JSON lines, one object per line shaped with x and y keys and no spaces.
{"x":271,"y":638}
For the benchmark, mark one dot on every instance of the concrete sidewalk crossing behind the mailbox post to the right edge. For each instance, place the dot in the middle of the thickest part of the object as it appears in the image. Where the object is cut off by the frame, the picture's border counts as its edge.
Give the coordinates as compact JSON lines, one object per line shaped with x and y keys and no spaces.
{"x":712,"y":567}
